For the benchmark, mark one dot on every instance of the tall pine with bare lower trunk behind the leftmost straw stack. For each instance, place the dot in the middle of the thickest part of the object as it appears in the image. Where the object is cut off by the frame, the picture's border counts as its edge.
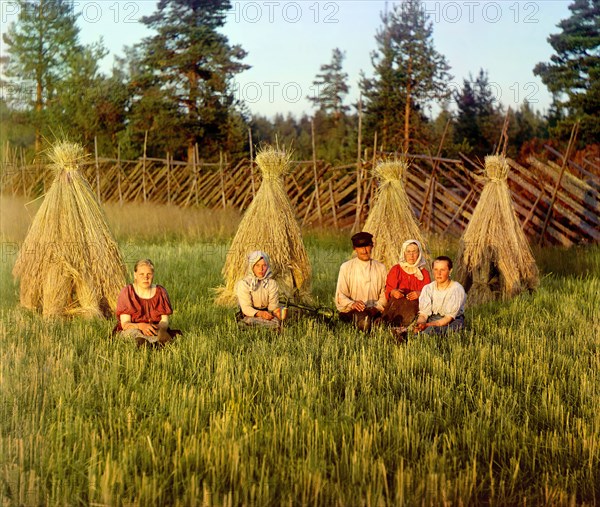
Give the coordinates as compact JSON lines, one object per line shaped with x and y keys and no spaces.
{"x":39,"y":45}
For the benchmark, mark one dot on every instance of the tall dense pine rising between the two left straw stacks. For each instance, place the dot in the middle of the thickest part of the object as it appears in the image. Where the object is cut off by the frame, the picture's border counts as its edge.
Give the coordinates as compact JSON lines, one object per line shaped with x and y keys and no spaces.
{"x":193,"y":65}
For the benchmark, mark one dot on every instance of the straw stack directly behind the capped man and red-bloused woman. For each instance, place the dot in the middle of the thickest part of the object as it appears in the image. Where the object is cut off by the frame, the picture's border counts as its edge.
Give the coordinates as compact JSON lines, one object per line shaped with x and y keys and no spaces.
{"x":391,"y":220}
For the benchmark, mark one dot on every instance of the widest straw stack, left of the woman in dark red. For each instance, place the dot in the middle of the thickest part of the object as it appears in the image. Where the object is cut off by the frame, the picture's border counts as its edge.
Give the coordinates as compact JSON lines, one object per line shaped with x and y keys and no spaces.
{"x":69,"y":263}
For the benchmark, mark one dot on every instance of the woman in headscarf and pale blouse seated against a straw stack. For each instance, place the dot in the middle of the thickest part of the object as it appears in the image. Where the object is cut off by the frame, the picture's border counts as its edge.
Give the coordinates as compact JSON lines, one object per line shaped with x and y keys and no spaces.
{"x":258,"y":293}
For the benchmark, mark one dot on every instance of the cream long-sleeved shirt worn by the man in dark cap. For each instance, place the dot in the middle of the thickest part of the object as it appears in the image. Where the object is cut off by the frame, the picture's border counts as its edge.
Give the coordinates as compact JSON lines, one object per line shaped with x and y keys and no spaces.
{"x":361,"y":281}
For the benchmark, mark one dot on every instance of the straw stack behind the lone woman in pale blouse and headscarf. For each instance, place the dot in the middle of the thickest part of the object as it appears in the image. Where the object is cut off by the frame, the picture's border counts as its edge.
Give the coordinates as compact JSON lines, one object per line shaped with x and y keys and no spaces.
{"x":269,"y":224}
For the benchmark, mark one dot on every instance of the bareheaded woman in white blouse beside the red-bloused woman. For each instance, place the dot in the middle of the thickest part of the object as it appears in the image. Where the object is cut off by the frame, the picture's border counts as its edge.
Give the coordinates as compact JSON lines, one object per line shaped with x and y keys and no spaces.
{"x":442,"y":302}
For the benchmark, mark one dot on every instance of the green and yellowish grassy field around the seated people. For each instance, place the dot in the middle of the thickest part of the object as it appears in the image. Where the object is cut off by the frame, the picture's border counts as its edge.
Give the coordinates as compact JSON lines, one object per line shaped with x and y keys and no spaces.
{"x":504,"y":413}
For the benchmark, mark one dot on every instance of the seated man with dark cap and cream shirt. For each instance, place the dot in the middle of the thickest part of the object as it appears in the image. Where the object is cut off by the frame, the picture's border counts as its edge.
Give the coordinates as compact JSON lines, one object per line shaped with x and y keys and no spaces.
{"x":360,"y":292}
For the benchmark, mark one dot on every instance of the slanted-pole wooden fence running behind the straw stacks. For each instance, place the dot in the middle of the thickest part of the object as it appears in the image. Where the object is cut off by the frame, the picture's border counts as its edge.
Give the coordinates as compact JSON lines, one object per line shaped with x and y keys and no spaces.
{"x":557,"y":202}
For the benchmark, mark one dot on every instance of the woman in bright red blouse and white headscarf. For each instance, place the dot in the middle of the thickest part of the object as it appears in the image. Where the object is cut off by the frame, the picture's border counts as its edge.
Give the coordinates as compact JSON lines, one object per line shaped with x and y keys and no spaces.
{"x":404,"y":284}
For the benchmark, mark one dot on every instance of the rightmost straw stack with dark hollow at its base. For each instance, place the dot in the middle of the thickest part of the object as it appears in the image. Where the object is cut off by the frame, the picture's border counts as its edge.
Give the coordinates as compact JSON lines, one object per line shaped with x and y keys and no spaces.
{"x":494,"y":258}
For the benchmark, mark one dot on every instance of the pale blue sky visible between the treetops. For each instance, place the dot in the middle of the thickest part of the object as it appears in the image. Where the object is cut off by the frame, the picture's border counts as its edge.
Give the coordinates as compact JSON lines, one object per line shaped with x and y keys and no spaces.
{"x":288,"y":41}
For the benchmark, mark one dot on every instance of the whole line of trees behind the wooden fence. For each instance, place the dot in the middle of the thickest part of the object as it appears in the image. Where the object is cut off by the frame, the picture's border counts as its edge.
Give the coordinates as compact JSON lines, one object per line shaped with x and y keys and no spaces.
{"x":178,"y":85}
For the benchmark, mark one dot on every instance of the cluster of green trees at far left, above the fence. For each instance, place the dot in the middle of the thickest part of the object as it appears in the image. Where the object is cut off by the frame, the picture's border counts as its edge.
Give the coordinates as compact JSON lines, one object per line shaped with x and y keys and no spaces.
{"x":46,"y":64}
